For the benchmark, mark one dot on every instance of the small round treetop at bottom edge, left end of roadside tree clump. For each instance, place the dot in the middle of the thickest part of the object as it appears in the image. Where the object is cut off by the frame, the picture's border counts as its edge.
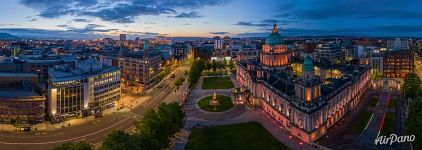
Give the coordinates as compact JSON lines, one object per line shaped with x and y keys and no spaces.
{"x":120,"y":140}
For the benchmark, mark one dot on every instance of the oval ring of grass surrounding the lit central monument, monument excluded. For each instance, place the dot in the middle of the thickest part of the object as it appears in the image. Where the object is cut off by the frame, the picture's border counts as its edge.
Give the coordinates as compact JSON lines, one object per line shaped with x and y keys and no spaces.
{"x":225,"y":103}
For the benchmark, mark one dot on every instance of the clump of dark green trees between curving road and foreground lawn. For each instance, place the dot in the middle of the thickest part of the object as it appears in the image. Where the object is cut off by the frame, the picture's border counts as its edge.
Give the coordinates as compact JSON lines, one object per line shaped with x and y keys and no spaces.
{"x":154,"y":130}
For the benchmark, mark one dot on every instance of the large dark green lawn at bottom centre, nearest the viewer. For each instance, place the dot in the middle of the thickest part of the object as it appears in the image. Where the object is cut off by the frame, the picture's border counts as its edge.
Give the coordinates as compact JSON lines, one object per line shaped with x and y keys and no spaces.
{"x":244,"y":136}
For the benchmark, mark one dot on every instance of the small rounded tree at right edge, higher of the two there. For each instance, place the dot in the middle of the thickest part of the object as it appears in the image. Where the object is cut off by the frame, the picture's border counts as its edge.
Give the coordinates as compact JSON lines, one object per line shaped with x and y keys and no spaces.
{"x":412,"y":85}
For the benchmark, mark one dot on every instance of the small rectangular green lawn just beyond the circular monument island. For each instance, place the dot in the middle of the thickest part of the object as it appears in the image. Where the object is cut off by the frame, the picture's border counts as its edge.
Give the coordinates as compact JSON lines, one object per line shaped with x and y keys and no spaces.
{"x":217,"y":83}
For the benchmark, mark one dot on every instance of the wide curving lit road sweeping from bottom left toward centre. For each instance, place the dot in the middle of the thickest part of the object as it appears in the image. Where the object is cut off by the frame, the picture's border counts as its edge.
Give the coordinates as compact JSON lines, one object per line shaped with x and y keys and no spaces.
{"x":93,"y":132}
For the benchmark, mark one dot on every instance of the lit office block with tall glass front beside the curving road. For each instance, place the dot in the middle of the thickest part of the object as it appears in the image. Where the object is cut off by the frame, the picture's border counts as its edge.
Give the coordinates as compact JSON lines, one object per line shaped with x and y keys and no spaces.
{"x":88,"y":88}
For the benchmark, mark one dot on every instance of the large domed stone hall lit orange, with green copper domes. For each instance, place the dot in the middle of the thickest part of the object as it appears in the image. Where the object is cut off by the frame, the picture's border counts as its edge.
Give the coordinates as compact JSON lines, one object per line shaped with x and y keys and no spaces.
{"x":307,"y":105}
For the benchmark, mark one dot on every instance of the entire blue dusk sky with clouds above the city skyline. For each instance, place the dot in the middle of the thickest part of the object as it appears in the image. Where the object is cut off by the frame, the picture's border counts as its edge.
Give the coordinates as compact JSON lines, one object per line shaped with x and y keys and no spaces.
{"x":207,"y":18}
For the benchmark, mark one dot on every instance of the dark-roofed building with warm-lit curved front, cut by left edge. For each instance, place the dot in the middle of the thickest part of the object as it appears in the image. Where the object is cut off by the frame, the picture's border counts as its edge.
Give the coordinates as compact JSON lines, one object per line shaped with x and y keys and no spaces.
{"x":20,"y":99}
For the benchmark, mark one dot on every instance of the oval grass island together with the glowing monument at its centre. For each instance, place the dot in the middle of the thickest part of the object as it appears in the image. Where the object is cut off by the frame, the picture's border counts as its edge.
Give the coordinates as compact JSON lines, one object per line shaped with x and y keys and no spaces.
{"x":215,"y":103}
